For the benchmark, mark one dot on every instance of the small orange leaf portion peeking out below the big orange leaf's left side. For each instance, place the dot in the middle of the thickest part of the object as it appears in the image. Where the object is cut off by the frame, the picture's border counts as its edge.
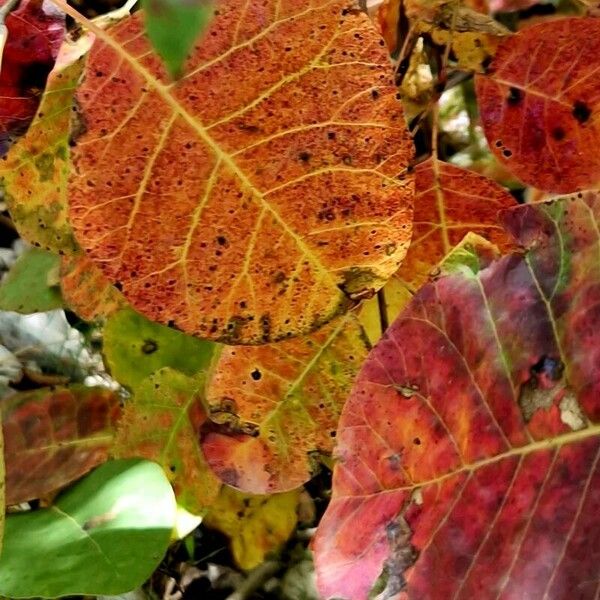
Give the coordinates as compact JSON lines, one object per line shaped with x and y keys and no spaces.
{"x":85,"y":289}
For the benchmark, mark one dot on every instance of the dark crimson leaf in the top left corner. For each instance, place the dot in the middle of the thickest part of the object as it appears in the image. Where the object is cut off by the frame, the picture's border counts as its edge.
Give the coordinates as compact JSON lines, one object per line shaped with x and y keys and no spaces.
{"x":35,"y":33}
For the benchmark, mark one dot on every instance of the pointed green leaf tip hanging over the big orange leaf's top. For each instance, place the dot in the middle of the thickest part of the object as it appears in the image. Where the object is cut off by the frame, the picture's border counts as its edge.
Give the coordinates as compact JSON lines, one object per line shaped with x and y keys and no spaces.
{"x":173,"y":26}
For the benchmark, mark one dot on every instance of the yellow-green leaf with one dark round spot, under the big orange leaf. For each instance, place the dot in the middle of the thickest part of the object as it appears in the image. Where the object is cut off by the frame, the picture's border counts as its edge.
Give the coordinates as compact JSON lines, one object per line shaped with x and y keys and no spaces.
{"x":135,"y":347}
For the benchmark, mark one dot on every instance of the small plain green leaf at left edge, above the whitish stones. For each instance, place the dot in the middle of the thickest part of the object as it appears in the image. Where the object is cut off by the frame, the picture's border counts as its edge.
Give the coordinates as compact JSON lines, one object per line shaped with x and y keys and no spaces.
{"x":32,"y":284}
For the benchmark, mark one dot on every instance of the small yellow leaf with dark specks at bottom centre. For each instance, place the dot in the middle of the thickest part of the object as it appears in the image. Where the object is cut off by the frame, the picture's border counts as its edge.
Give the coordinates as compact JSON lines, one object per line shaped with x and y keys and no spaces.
{"x":257,"y":525}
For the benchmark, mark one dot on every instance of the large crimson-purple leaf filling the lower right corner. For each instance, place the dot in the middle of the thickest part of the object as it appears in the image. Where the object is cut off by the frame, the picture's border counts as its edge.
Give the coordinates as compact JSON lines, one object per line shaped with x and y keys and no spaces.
{"x":469,"y":446}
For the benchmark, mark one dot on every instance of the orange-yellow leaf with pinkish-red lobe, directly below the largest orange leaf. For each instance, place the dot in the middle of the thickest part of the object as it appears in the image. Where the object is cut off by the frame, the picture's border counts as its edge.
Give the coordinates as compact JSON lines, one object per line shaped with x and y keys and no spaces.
{"x":278,"y":405}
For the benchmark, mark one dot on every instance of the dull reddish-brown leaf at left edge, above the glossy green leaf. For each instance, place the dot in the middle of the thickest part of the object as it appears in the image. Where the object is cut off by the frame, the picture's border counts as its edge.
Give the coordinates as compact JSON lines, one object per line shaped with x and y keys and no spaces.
{"x":52,"y":436}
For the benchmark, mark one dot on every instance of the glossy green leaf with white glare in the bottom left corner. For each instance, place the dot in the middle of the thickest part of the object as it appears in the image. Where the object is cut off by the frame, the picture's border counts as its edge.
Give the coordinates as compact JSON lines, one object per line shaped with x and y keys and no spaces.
{"x":105,"y":535}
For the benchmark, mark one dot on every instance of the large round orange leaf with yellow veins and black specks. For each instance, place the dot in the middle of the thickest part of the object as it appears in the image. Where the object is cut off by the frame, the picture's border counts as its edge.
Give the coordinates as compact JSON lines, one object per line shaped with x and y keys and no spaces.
{"x":254,"y":207}
